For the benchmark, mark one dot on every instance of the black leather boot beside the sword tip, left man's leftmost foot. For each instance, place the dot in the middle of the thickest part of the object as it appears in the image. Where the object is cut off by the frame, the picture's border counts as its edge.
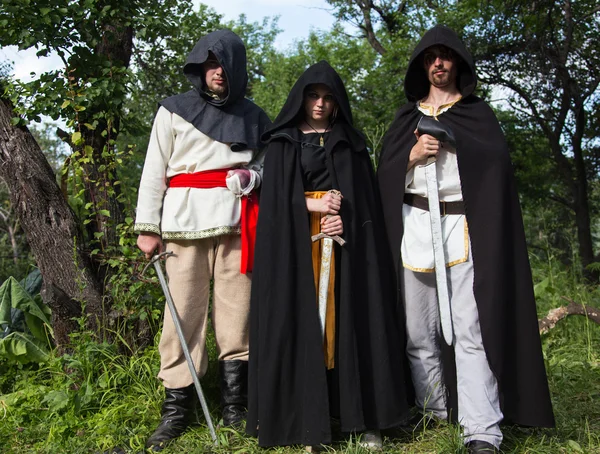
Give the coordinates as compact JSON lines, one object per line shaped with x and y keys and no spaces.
{"x":177,"y":414}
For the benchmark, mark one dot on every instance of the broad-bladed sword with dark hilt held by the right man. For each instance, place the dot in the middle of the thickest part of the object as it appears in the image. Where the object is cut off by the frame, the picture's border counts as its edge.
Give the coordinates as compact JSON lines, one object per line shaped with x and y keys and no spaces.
{"x":441,"y":132}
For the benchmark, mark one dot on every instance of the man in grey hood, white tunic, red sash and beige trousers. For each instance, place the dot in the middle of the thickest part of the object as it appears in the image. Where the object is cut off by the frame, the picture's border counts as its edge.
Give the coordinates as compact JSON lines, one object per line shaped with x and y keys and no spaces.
{"x":197,"y":199}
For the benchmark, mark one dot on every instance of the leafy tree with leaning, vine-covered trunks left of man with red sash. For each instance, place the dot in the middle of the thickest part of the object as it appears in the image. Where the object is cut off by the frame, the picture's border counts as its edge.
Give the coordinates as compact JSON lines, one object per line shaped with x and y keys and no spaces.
{"x":96,"y":40}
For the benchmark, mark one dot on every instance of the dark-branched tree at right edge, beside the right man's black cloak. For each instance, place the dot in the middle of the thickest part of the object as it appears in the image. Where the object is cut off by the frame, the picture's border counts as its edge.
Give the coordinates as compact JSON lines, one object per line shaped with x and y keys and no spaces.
{"x":544,"y":56}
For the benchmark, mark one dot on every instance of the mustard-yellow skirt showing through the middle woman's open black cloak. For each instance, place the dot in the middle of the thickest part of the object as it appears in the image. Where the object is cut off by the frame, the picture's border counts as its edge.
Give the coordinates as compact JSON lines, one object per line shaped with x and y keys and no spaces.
{"x":315,"y":227}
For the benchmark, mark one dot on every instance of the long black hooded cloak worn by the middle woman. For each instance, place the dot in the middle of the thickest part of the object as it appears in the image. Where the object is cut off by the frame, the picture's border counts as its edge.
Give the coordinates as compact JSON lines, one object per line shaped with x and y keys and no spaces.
{"x":288,"y":397}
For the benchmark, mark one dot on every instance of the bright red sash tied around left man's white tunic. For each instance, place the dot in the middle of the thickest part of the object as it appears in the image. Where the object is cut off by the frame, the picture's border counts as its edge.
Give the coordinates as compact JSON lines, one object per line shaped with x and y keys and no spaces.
{"x":216,"y":179}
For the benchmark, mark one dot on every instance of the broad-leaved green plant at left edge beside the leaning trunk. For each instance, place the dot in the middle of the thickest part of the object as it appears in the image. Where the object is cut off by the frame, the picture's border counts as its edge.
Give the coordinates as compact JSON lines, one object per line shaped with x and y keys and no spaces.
{"x":25,"y":321}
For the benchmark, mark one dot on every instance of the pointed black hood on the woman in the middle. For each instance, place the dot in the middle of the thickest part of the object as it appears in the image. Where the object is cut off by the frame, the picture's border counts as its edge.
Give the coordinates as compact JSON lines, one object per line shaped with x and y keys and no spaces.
{"x":293,"y":109}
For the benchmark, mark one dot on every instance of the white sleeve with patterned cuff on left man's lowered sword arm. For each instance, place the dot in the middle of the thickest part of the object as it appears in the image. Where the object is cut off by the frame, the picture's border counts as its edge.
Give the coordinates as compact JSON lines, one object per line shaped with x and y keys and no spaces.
{"x":154,"y":180}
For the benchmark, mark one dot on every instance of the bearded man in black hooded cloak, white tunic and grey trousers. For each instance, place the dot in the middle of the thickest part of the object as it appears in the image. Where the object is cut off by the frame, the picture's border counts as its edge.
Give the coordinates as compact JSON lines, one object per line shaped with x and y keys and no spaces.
{"x":498,"y":371}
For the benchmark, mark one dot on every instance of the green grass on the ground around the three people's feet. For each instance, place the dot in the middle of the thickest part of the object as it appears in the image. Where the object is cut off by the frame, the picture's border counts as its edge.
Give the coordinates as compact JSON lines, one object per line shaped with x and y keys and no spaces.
{"x":96,"y":399}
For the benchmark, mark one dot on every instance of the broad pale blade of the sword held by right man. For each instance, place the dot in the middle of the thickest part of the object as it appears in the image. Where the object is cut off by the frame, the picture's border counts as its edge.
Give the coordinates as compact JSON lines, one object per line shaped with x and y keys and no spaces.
{"x":438,"y":252}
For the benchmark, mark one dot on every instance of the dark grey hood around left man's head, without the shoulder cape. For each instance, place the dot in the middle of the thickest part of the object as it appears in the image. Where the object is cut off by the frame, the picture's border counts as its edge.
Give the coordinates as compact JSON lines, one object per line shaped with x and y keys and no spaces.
{"x":231,"y":53}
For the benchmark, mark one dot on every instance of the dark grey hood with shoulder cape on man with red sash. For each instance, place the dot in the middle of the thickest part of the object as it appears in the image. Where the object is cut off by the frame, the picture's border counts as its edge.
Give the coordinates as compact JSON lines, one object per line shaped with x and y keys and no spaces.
{"x":234,"y":119}
